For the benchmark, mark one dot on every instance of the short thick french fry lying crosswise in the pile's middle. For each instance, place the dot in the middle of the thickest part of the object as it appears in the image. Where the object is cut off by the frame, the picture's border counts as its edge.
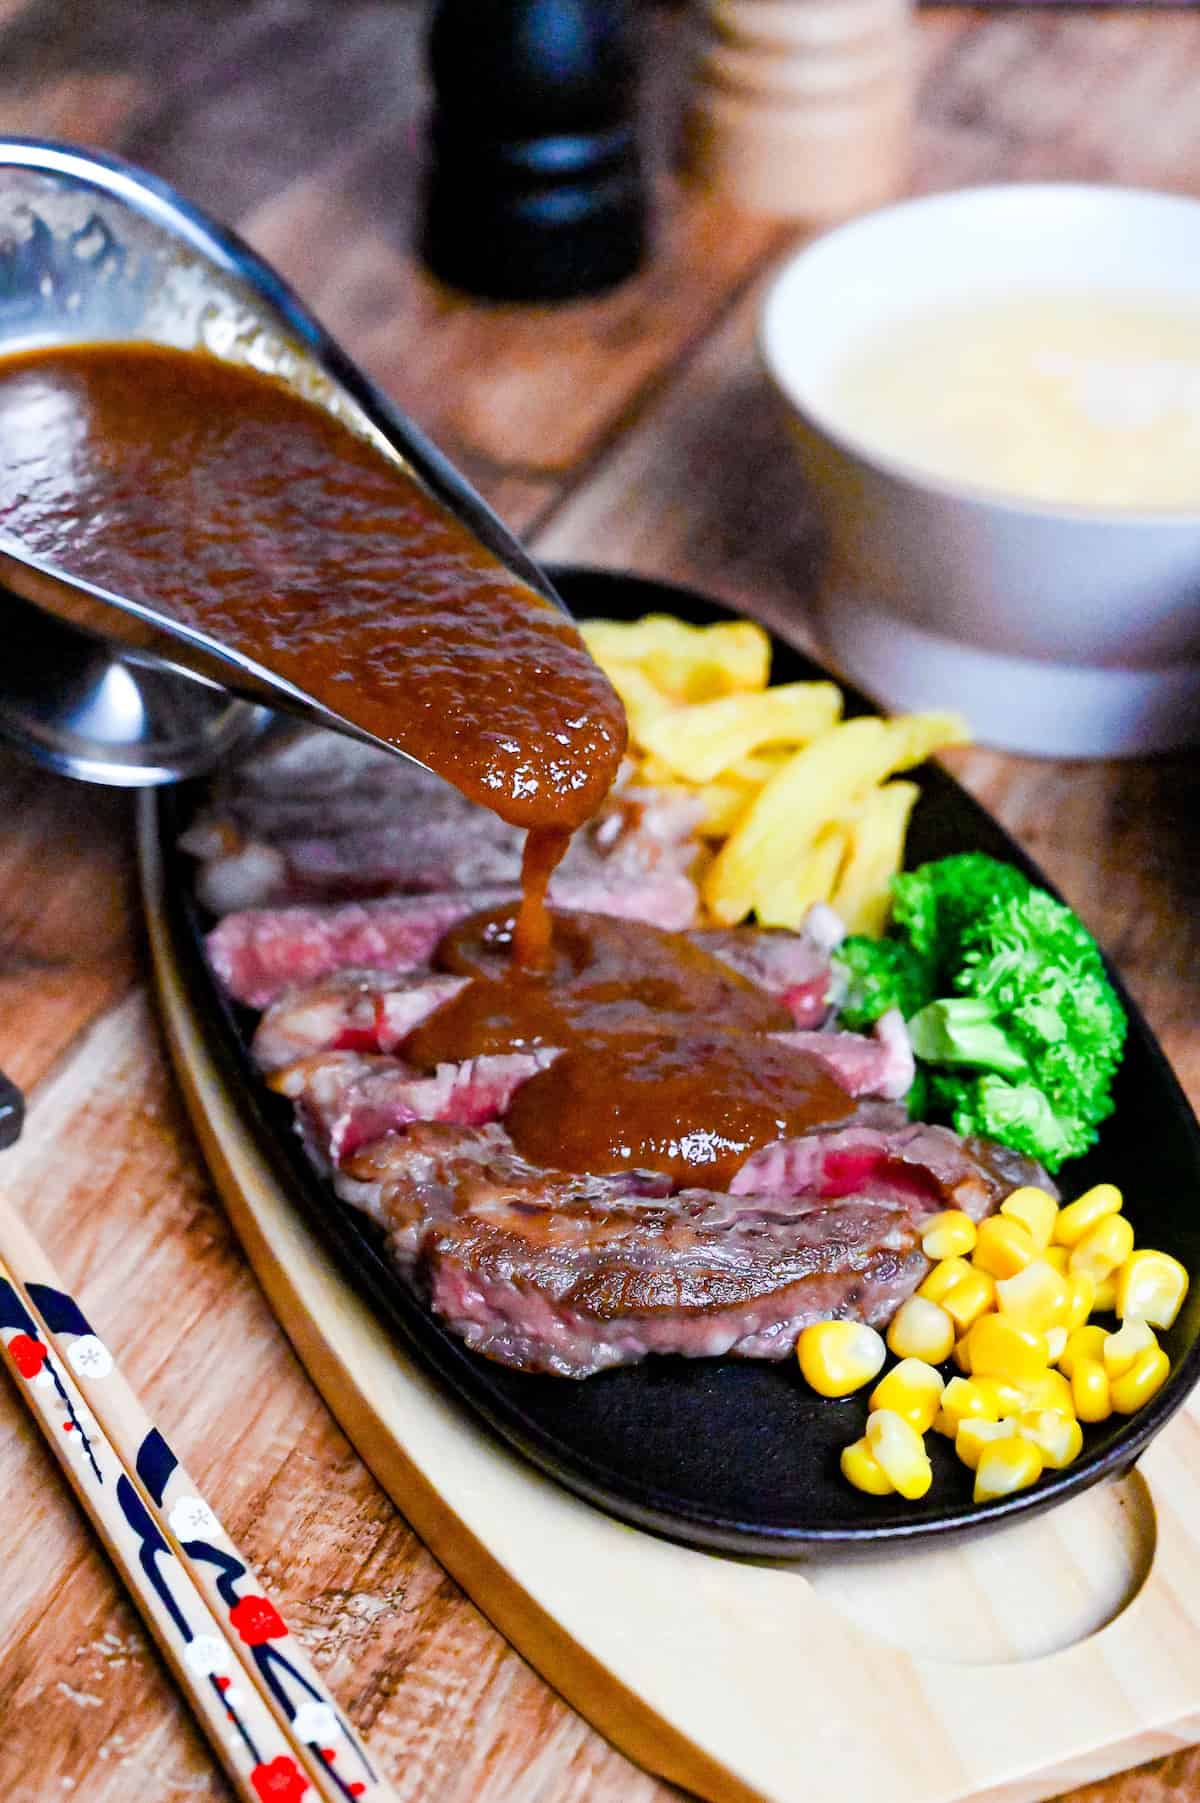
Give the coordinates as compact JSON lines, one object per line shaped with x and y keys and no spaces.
{"x":702,"y":742}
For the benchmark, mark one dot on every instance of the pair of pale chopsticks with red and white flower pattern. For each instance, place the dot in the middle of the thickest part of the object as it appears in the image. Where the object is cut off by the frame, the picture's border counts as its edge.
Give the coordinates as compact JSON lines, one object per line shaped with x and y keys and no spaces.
{"x":268,"y":1714}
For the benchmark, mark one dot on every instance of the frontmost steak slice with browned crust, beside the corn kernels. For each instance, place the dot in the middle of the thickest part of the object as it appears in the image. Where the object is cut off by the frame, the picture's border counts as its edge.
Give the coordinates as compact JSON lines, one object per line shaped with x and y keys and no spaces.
{"x":574,"y":1276}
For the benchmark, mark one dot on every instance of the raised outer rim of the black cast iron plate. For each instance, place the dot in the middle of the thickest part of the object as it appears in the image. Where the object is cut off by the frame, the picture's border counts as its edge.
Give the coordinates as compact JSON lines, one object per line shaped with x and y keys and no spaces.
{"x":466,"y":1375}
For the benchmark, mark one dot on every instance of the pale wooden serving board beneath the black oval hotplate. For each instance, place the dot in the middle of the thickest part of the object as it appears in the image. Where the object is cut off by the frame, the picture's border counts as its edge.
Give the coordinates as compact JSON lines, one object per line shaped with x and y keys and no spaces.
{"x":1005,"y":1669}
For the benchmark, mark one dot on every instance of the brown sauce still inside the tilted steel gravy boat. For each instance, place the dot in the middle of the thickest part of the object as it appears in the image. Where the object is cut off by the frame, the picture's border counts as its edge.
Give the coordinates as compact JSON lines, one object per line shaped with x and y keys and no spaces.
{"x":237,"y":508}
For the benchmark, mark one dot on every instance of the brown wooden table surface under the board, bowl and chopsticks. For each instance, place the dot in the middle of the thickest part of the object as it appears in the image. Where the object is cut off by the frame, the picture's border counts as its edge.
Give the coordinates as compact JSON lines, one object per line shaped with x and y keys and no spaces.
{"x":632,"y":432}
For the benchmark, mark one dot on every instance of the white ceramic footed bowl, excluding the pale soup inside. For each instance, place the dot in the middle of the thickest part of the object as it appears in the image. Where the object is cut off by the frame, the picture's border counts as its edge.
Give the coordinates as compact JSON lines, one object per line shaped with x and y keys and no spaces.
{"x":1059,"y":630}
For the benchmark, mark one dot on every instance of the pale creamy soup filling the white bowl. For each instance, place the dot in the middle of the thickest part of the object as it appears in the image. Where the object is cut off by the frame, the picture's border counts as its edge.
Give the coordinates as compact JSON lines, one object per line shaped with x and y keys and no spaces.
{"x":1064,"y":399}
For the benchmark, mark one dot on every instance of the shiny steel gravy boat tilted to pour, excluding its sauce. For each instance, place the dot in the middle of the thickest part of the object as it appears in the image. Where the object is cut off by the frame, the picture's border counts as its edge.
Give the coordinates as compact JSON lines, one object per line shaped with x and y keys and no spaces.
{"x":95,"y":684}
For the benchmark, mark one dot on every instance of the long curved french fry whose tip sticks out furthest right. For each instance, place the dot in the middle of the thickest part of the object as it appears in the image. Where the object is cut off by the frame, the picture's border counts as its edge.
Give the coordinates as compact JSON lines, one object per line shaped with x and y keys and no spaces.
{"x":817,"y":785}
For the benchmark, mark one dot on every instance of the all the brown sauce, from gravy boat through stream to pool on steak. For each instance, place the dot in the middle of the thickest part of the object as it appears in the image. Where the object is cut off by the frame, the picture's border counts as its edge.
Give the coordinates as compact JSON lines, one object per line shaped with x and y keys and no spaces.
{"x":237,"y":508}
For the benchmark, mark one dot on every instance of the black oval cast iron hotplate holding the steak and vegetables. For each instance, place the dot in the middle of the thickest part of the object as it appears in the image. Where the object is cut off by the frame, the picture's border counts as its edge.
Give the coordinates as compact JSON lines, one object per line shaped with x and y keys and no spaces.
{"x":723,"y":1452}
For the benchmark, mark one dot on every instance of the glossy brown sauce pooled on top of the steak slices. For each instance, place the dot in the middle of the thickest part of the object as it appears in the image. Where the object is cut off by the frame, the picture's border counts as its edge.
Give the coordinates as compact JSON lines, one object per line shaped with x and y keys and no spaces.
{"x":666,"y":1061}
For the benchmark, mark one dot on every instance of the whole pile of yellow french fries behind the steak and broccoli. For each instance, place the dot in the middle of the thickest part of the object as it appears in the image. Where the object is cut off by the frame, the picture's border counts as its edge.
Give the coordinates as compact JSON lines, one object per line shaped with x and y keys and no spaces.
{"x":795,"y":805}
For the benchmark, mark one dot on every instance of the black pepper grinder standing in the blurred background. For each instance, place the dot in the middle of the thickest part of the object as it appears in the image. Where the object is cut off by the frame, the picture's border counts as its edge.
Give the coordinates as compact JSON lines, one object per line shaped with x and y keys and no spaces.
{"x":534,"y":187}
